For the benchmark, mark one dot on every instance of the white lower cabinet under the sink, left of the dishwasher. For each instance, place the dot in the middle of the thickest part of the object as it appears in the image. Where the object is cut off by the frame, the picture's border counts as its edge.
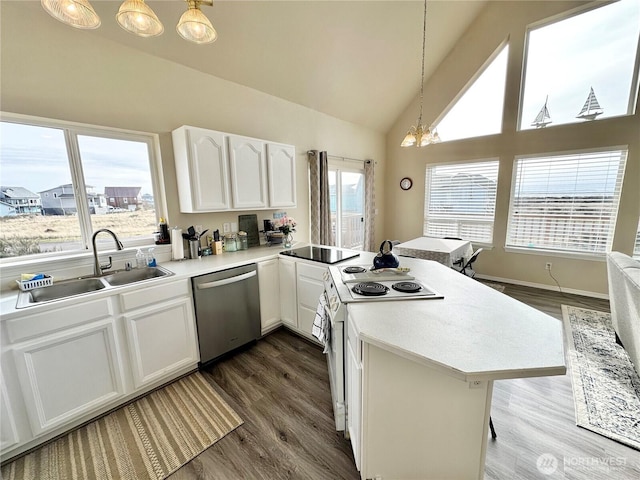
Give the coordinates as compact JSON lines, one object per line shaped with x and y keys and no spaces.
{"x":63,"y":366}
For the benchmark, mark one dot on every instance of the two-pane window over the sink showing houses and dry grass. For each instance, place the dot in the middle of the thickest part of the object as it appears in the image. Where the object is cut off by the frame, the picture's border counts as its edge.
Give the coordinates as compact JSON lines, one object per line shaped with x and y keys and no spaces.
{"x":61,"y":182}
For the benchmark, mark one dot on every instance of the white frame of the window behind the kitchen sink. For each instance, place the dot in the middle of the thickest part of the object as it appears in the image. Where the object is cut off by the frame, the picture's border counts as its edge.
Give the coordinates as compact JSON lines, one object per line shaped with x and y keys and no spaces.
{"x":71,"y":132}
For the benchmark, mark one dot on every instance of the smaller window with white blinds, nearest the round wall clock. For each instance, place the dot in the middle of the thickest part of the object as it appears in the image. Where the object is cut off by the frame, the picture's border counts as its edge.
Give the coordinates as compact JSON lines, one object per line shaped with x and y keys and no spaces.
{"x":460,"y":200}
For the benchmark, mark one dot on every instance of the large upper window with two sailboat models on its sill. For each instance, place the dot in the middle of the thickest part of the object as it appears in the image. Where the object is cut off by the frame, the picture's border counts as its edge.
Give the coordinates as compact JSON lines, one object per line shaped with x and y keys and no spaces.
{"x":582,"y":68}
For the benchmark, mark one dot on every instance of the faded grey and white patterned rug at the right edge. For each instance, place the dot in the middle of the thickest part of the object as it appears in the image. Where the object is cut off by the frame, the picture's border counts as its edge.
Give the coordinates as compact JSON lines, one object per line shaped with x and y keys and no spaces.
{"x":606,"y":388}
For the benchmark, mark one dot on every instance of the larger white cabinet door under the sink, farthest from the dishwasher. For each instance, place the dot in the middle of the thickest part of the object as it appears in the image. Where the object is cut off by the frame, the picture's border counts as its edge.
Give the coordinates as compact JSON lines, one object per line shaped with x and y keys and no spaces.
{"x":65,"y":375}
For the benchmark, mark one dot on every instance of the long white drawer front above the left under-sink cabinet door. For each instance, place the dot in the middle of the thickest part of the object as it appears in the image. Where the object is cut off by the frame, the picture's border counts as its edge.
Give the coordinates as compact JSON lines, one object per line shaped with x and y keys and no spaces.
{"x":50,"y":321}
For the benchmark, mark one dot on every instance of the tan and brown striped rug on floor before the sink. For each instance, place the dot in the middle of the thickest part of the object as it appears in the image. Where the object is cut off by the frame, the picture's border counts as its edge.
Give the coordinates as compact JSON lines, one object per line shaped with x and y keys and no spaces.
{"x":147,"y":439}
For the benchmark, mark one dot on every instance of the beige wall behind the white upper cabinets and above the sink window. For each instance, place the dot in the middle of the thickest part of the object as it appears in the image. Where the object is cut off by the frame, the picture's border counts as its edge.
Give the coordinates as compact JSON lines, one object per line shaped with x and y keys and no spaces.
{"x":52,"y":70}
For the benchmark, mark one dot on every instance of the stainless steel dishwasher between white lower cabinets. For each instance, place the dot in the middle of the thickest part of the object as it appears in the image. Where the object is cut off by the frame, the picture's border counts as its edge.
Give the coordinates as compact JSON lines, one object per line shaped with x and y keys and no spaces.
{"x":227,"y":305}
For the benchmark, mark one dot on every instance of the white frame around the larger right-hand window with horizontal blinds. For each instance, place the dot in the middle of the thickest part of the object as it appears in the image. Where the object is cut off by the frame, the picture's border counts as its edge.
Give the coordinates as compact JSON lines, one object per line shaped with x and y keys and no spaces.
{"x":556,"y":252}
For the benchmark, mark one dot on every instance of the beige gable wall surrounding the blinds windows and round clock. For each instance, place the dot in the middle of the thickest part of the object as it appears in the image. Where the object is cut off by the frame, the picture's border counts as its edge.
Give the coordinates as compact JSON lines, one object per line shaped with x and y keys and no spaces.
{"x":404,"y":210}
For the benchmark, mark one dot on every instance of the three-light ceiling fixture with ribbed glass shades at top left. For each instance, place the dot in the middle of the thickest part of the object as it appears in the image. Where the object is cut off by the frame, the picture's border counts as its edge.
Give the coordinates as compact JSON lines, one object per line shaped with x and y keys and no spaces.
{"x":136,"y":17}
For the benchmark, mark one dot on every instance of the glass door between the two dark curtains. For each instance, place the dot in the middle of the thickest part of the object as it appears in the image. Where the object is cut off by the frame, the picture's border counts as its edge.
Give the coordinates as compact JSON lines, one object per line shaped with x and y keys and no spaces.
{"x":346,"y":190}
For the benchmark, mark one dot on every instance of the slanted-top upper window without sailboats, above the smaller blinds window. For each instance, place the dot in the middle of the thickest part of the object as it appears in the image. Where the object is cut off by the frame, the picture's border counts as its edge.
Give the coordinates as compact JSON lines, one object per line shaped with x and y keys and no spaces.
{"x":478,"y":112}
